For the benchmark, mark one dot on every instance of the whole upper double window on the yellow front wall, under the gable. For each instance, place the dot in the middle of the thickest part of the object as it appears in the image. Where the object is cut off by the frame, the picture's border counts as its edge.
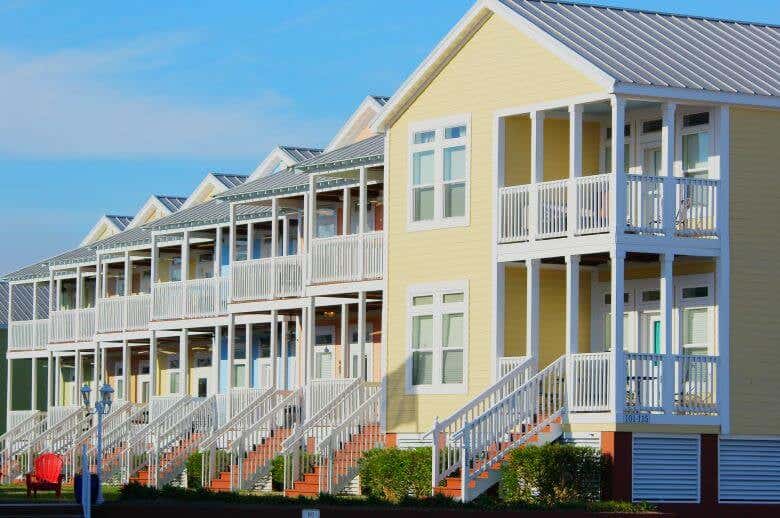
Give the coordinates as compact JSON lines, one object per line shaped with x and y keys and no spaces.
{"x":439,"y":169}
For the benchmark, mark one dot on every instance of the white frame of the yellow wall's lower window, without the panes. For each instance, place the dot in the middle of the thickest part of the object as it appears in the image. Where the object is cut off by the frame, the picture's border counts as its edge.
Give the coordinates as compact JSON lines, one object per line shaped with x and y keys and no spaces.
{"x":438,"y":290}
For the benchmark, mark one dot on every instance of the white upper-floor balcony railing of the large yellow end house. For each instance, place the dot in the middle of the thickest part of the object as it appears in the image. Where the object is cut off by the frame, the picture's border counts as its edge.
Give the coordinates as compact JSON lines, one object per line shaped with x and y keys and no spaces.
{"x":549,"y":210}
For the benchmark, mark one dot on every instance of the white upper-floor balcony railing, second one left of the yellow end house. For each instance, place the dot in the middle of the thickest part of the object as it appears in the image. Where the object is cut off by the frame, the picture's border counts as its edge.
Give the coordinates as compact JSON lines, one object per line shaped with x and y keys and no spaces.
{"x":269,"y":278}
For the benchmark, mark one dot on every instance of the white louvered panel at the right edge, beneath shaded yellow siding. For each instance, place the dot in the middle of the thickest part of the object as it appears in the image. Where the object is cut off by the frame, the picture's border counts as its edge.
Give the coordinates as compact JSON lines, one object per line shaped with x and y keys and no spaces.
{"x":749,"y":470}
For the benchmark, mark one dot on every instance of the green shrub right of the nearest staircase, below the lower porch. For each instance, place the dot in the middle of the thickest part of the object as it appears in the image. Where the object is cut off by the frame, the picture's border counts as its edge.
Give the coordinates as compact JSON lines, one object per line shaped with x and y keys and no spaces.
{"x":551,"y":474}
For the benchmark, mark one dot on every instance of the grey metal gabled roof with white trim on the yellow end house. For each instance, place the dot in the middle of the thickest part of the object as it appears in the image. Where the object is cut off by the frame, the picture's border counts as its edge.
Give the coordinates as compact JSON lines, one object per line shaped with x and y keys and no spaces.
{"x":627,"y":51}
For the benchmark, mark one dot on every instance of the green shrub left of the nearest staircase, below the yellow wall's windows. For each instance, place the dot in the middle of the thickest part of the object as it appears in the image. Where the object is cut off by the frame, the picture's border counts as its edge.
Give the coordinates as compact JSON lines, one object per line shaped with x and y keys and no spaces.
{"x":391,"y":474}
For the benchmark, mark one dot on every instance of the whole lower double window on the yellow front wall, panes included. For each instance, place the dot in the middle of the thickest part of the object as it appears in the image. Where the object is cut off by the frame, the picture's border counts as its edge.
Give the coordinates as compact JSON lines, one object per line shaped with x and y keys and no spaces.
{"x":438,"y":338}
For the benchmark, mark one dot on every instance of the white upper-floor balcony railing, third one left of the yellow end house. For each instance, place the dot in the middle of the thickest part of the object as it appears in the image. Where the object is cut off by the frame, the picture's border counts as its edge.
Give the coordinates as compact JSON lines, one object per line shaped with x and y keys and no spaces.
{"x":196,"y":298}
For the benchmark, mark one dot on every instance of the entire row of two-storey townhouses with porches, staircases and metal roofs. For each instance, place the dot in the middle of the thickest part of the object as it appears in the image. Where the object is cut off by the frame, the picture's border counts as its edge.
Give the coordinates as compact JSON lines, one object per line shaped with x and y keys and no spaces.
{"x":444,"y":274}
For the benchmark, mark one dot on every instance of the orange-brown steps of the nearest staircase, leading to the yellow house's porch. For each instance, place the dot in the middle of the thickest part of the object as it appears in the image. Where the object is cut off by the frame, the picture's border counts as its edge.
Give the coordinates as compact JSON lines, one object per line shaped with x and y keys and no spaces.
{"x":452,"y":487}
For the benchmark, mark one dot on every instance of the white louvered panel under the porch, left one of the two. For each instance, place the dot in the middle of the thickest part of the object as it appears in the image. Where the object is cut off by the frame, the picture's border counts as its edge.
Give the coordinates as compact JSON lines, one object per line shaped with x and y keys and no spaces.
{"x":665,"y":468}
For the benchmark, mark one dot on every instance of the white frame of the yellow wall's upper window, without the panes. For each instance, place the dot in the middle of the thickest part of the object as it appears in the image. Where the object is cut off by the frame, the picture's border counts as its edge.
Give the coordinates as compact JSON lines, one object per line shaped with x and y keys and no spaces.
{"x":437,"y":146}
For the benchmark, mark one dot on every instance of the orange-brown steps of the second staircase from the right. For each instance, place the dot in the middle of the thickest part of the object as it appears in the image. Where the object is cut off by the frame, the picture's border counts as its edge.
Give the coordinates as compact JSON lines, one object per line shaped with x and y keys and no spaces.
{"x":344,"y":461}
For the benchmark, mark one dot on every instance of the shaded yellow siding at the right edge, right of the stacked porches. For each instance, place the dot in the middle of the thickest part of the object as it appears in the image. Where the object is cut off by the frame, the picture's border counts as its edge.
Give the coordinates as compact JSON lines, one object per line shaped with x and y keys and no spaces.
{"x":755,"y":285}
